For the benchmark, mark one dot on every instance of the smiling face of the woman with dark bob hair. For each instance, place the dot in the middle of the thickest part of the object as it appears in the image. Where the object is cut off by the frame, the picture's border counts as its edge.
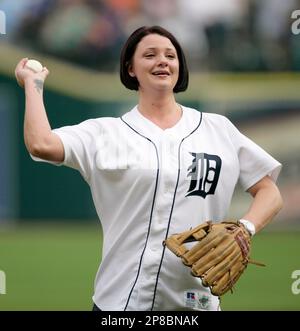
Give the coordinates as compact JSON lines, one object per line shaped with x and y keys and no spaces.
{"x":155,"y":64}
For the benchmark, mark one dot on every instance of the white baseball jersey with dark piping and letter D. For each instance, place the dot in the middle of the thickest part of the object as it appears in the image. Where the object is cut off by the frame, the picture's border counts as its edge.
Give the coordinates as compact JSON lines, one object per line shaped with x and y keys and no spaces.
{"x":148,"y":183}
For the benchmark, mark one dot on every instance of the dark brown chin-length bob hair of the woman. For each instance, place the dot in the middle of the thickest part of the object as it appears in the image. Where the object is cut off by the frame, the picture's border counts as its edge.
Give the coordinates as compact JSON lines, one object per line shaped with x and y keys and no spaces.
{"x":128,"y":51}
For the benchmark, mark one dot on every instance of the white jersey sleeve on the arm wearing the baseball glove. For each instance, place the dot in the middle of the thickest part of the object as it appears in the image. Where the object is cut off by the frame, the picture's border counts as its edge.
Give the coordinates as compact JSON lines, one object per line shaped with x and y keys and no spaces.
{"x":255,"y":163}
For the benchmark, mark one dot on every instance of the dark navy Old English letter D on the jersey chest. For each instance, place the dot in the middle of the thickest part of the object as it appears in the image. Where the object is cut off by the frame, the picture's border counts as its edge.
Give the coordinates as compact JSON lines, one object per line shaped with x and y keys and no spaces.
{"x":204,"y":174}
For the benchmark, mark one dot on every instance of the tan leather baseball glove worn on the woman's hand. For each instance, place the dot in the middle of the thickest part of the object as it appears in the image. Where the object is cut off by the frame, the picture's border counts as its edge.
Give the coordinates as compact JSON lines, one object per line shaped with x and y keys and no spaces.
{"x":220,"y":255}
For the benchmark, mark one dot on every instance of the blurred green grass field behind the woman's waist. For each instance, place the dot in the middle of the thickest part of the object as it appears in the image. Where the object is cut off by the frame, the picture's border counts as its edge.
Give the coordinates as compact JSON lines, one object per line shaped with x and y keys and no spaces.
{"x":53,"y":268}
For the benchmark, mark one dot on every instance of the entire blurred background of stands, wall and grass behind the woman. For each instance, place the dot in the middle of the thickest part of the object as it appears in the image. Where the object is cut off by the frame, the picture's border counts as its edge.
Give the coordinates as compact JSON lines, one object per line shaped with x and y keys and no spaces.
{"x":244,"y":64}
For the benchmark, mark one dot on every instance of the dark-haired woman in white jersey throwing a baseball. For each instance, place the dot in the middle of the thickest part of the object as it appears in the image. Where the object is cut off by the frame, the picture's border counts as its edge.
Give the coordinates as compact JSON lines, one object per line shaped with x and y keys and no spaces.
{"x":160,"y":169}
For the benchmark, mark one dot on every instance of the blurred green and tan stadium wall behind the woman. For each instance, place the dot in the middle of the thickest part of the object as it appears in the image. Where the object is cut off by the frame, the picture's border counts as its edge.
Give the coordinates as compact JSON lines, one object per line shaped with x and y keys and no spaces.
{"x":265,"y":106}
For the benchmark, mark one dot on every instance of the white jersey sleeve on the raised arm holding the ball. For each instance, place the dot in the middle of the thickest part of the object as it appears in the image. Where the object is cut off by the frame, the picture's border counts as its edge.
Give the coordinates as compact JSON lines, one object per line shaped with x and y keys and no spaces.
{"x":79,"y":143}
